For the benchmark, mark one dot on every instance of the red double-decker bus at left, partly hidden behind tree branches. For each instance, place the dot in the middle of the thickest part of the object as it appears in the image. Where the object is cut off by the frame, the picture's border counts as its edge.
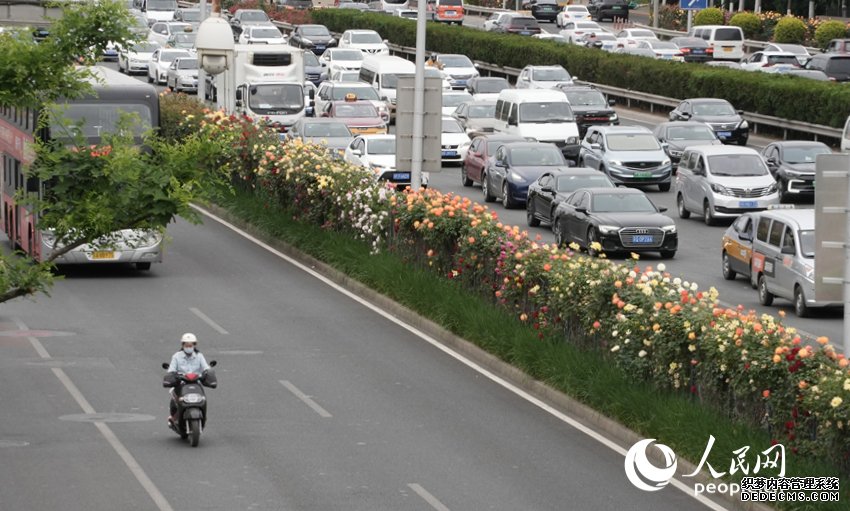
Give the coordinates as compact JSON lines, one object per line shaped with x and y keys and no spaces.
{"x":98,"y":113}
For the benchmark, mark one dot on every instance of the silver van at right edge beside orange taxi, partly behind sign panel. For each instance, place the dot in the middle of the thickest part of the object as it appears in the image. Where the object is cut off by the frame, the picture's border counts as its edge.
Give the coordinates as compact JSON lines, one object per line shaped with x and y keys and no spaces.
{"x":783,"y":263}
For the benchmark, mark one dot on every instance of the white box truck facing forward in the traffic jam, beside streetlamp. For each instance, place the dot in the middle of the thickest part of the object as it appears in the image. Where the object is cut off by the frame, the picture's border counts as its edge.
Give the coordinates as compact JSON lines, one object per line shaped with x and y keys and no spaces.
{"x":266,"y":81}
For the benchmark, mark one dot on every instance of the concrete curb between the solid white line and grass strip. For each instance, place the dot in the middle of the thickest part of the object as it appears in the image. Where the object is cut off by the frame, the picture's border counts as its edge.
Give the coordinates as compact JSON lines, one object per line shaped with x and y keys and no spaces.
{"x":584,"y":414}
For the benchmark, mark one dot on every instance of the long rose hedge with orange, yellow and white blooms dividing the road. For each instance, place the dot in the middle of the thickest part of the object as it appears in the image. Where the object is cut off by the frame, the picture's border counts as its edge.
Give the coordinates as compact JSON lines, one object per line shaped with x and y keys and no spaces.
{"x":654,"y":326}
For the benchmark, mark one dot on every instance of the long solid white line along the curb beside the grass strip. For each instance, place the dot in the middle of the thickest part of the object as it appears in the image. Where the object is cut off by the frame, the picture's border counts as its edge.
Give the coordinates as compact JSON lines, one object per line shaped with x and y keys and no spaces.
{"x":457,"y":356}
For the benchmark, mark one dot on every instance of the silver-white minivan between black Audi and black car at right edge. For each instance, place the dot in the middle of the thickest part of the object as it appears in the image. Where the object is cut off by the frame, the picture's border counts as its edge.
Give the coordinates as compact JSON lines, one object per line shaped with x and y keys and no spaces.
{"x":723,"y":182}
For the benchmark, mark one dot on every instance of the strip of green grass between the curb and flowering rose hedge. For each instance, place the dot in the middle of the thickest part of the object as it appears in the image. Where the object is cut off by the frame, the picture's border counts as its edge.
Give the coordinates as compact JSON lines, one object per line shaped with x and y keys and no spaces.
{"x":678,"y":420}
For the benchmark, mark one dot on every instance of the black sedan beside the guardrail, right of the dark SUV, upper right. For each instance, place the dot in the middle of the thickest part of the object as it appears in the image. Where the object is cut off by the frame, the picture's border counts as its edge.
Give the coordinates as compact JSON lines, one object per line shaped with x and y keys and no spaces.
{"x":726,"y":122}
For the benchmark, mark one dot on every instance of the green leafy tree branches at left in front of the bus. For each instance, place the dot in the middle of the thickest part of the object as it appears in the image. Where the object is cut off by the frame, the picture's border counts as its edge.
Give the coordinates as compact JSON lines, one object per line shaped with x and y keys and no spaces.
{"x":91,"y":192}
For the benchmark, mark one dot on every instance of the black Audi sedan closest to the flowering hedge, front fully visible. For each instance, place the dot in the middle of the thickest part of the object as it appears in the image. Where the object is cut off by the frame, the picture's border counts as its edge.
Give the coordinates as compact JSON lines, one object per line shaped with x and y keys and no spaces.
{"x":615,"y":220}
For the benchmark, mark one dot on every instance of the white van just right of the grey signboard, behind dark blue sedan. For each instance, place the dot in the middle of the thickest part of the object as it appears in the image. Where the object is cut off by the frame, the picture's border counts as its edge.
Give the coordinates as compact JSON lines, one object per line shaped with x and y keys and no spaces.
{"x":541,"y":114}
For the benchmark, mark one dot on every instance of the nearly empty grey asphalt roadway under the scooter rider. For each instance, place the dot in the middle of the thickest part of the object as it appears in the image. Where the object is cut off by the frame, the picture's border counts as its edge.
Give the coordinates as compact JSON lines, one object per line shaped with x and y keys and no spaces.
{"x":322,"y":404}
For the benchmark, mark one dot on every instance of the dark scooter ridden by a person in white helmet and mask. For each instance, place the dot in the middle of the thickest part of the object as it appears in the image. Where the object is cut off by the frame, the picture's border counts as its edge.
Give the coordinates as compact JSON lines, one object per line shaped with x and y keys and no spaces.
{"x":188,"y":393}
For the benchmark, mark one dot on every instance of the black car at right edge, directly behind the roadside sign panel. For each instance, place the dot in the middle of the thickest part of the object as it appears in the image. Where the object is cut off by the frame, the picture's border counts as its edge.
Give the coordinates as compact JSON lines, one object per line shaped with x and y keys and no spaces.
{"x":792,"y":163}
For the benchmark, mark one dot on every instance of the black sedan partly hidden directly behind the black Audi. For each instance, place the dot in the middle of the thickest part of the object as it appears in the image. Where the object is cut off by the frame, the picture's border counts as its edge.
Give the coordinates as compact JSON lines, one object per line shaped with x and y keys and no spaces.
{"x":552,"y":188}
